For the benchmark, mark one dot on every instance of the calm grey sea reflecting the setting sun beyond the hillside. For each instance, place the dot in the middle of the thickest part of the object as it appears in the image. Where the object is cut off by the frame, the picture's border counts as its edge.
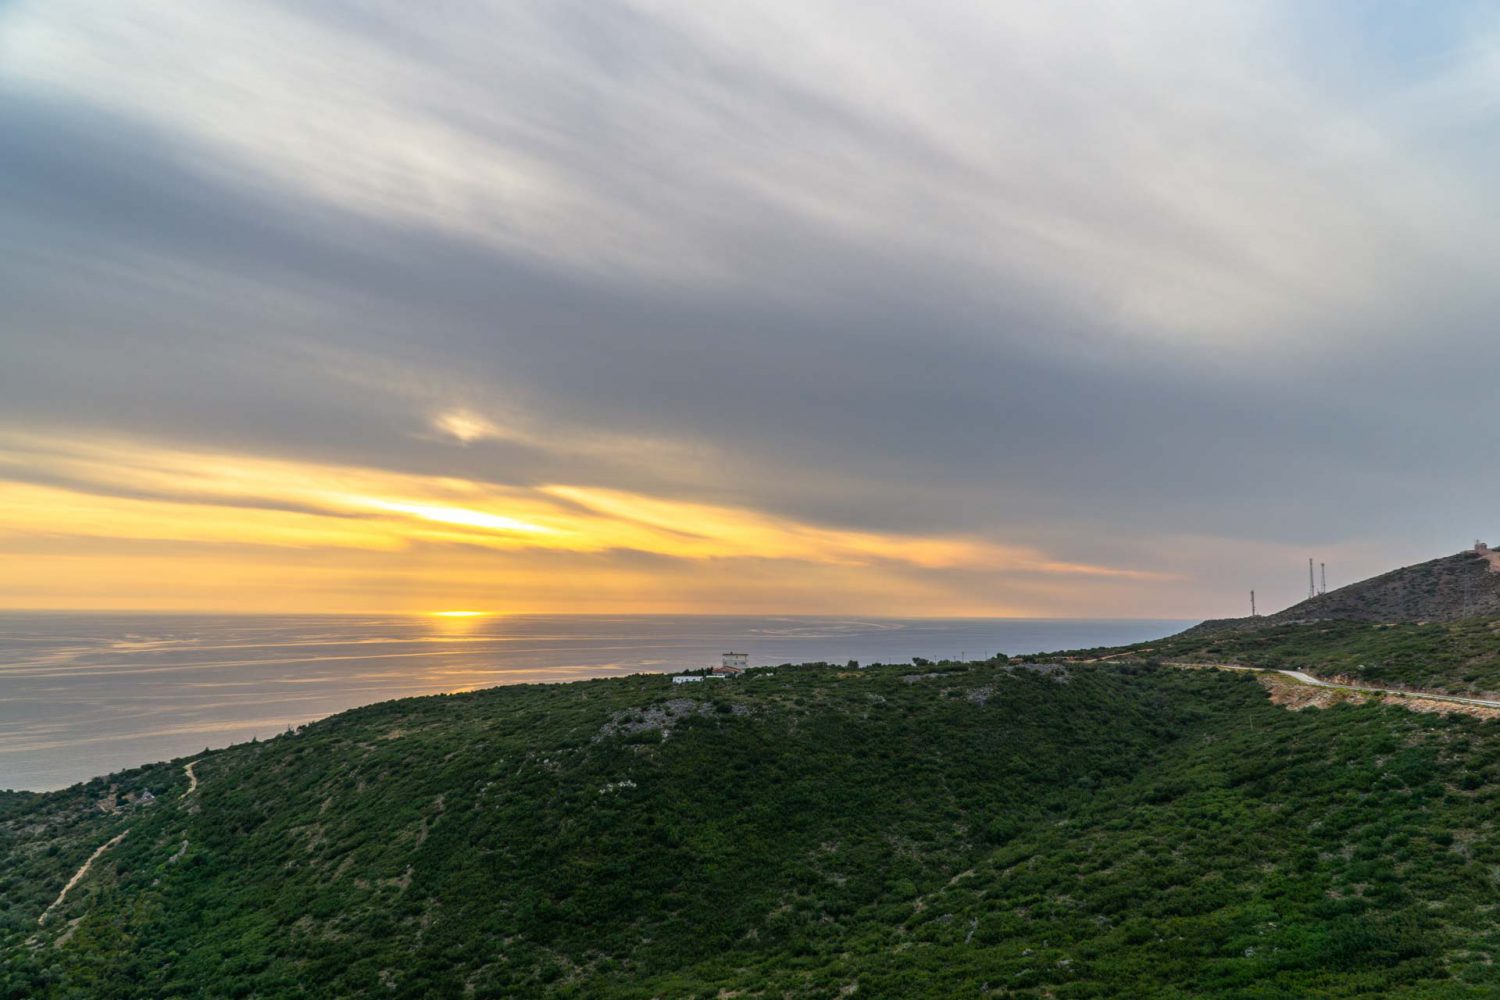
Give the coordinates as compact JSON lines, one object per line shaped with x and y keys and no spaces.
{"x":85,"y":695}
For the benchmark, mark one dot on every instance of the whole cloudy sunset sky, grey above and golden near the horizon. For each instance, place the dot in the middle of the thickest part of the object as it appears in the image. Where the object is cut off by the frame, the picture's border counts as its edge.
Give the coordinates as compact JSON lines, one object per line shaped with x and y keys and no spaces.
{"x":880,"y":308}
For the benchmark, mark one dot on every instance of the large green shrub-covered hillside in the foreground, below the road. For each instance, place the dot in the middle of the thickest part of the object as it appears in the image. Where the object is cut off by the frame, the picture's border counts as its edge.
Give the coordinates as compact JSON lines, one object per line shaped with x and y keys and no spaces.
{"x":923,"y":831}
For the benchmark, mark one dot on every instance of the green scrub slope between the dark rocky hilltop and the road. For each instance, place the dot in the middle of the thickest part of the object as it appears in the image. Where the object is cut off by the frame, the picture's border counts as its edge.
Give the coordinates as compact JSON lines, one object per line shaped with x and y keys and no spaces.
{"x":1460,"y":656}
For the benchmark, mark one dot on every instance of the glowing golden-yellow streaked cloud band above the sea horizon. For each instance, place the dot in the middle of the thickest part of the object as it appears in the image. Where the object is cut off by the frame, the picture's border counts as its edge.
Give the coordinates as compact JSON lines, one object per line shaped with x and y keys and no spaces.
{"x":121,"y":488}
